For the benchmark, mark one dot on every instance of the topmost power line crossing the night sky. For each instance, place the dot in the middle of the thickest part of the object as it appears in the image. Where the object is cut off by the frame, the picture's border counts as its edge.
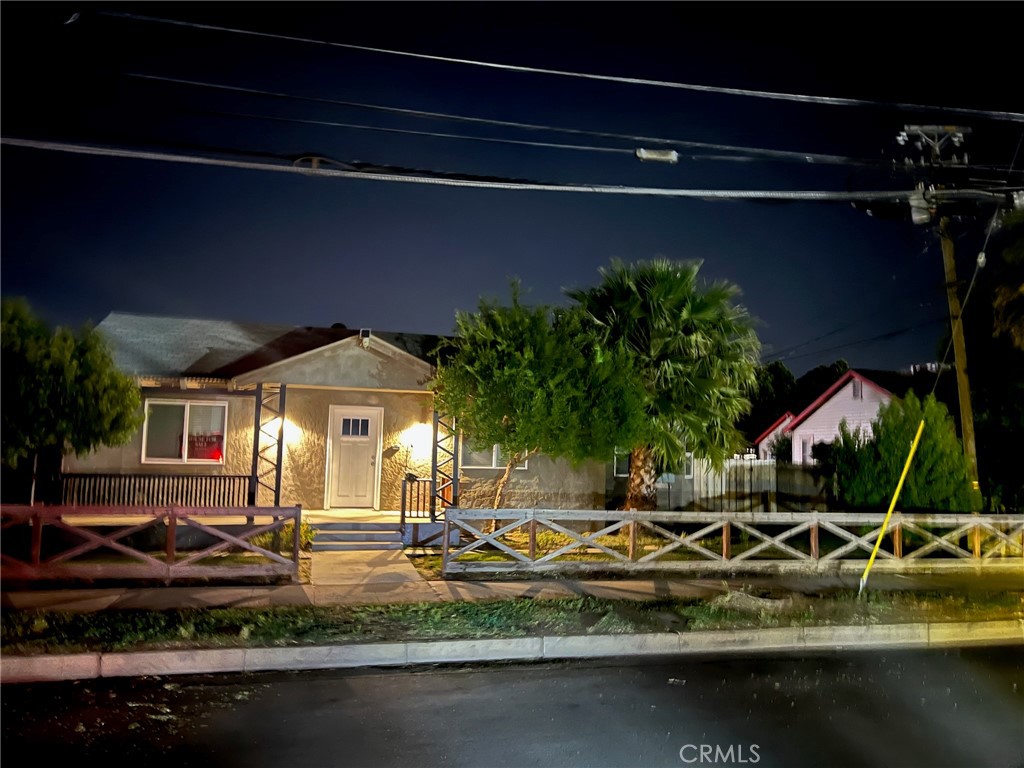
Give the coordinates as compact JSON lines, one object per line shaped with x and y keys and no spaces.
{"x":828,"y":101}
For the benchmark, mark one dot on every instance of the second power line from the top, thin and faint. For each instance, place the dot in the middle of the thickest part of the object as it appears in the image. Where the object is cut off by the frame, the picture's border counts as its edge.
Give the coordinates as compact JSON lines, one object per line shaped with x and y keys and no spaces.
{"x":634,"y":139}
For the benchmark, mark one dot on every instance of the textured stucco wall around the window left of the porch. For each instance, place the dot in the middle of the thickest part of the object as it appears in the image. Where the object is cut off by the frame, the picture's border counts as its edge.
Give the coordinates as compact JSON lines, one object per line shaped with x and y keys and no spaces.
{"x":129,"y":459}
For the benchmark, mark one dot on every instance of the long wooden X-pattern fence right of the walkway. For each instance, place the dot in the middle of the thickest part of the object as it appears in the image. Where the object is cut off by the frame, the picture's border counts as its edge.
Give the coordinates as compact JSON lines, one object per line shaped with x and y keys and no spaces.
{"x":544,"y":540}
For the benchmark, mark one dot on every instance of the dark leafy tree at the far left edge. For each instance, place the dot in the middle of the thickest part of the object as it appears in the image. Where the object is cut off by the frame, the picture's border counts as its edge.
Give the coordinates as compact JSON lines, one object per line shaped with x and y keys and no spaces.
{"x":61,"y":391}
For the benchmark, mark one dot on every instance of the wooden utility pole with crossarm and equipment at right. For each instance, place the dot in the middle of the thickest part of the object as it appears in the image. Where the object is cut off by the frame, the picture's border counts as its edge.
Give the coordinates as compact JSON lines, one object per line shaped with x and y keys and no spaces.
{"x":933,"y":139}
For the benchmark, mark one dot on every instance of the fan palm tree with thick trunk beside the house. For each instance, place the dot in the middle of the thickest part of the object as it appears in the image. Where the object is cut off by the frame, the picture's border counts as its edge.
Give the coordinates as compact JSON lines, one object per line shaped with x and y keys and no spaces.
{"x":697,"y":352}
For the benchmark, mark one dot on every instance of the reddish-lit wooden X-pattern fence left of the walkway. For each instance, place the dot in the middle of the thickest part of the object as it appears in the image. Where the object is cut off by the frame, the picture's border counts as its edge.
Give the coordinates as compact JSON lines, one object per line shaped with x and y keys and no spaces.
{"x":163,"y":543}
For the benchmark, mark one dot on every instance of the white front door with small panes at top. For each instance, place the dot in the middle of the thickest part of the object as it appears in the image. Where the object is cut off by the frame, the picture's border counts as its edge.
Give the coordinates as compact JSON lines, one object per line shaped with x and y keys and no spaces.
{"x":354,"y":467}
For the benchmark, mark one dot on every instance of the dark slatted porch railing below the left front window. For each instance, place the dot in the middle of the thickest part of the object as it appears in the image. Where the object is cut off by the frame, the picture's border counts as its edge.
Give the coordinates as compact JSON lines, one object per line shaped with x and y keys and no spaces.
{"x":155,"y":491}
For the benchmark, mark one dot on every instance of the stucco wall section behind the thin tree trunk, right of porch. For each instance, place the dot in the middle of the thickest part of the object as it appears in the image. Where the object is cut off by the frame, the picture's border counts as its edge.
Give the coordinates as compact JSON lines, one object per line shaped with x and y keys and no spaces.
{"x":546,"y":484}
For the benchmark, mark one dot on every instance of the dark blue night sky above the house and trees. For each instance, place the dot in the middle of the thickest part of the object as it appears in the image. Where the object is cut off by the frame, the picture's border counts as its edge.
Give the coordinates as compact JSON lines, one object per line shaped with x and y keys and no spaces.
{"x":86,"y":236}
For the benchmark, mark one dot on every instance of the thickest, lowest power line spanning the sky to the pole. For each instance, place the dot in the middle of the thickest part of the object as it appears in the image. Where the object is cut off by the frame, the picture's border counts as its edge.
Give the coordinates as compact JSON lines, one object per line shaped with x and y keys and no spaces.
{"x":455,"y":181}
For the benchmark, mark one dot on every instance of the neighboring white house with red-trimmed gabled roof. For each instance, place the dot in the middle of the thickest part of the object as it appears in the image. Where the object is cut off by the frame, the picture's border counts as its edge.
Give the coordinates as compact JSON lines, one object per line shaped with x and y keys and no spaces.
{"x":856,"y":398}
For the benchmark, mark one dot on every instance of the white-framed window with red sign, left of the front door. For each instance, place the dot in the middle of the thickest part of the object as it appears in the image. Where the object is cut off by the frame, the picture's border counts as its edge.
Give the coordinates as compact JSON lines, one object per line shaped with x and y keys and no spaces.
{"x":184,"y":433}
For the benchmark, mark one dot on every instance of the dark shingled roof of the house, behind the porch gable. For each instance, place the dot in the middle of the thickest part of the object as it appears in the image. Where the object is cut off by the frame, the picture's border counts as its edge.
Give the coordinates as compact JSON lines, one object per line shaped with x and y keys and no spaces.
{"x":157,"y":346}
